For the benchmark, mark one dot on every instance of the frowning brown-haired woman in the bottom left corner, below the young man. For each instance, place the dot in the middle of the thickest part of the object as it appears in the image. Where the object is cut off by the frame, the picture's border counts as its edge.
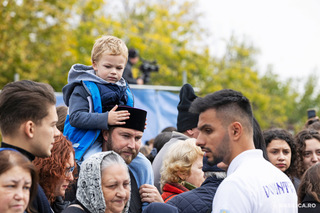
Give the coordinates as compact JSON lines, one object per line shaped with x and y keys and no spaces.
{"x":18,"y":182}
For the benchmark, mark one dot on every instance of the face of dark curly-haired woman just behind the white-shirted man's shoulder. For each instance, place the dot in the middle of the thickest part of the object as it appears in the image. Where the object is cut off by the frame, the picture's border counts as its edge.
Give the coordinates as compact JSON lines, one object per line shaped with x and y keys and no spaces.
{"x":279,"y":154}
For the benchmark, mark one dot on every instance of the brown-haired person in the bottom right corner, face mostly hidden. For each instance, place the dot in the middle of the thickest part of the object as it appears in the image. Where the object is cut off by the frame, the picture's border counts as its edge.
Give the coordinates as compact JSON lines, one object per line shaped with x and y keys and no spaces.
{"x":309,"y":190}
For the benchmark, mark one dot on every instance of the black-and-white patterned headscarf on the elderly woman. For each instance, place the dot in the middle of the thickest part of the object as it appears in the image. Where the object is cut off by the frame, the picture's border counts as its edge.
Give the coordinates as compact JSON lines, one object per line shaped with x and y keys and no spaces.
{"x":89,"y":191}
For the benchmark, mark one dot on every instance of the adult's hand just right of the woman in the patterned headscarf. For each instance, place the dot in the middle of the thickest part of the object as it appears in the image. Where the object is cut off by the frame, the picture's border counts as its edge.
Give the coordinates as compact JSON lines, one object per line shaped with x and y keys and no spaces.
{"x":150,"y":194}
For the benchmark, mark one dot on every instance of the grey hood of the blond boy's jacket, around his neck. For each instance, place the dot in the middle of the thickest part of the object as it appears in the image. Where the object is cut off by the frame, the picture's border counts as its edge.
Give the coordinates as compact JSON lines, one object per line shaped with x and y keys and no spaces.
{"x":79,"y":73}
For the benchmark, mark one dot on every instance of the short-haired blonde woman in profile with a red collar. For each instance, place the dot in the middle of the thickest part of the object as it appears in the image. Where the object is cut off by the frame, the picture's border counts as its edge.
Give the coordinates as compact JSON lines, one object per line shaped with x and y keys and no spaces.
{"x":182,"y":169}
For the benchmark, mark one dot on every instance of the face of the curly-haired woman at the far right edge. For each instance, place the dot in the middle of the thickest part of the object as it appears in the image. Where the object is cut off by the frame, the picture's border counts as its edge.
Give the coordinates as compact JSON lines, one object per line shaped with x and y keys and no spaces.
{"x":311,"y":154}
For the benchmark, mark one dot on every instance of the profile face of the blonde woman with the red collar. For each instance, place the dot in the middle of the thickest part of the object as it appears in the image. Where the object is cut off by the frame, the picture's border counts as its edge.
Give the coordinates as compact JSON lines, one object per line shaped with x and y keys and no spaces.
{"x":197,"y":175}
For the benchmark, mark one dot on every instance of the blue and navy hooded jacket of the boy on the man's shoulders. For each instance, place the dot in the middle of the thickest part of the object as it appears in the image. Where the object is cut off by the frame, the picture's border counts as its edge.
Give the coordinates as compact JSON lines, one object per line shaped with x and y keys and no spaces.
{"x":87,"y":95}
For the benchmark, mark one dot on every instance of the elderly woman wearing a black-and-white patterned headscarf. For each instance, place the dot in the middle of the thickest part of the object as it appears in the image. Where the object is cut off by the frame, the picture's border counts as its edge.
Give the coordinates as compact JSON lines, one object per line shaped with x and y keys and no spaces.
{"x":103,"y":185}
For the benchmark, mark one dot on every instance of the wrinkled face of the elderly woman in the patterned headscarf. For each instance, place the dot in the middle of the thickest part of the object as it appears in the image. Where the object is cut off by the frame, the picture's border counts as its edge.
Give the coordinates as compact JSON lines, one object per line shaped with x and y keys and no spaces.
{"x":115,"y":182}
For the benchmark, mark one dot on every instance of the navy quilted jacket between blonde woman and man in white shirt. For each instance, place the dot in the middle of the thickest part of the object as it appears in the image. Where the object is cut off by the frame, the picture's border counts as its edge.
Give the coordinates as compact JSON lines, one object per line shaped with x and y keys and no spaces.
{"x":198,"y":200}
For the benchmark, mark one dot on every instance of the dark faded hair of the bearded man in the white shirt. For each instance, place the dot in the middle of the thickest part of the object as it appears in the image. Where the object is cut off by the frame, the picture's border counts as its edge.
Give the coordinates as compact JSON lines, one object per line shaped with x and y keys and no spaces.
{"x":229,"y":104}
